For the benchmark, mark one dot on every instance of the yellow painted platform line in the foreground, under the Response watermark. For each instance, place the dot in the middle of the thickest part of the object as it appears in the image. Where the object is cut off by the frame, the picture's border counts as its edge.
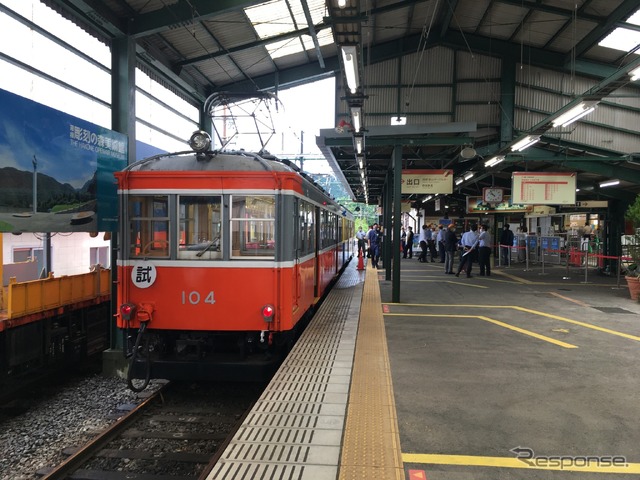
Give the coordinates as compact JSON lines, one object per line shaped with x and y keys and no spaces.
{"x":553,"y":463}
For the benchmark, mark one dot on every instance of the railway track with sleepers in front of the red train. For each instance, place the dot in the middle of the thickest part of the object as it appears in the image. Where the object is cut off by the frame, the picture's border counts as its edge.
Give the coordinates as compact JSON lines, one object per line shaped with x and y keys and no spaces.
{"x":173,"y":434}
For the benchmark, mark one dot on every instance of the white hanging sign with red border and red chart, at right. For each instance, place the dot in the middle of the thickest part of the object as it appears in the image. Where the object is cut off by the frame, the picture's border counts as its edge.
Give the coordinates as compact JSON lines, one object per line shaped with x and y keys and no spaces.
{"x":546,"y":188}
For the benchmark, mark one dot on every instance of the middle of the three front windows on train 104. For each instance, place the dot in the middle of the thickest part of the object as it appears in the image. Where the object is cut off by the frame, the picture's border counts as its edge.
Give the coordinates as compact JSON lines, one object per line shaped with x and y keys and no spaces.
{"x":200,"y":237}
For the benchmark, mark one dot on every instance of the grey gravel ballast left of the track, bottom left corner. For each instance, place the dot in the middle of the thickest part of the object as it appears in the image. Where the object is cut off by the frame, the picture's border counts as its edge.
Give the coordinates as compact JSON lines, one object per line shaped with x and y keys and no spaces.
{"x":77,"y":410}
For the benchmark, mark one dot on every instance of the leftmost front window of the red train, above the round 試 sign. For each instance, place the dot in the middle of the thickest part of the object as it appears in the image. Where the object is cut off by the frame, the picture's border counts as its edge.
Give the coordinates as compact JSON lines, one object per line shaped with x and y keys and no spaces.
{"x":149,"y":226}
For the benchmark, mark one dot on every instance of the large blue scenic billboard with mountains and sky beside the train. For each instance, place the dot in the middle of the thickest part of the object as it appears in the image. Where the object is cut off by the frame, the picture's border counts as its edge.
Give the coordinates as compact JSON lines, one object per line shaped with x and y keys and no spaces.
{"x":56,"y":170}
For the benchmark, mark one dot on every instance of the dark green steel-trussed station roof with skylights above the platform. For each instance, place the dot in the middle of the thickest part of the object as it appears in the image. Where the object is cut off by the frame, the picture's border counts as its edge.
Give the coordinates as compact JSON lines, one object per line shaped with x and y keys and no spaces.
{"x":469,"y":77}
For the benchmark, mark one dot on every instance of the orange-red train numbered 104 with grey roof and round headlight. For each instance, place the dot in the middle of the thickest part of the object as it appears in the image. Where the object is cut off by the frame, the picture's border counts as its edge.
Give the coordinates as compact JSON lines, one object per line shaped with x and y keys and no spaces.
{"x":221,"y":257}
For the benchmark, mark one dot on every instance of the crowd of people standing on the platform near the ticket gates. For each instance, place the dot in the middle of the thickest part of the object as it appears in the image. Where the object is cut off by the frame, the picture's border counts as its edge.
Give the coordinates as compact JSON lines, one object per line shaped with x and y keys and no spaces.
{"x":440,"y":243}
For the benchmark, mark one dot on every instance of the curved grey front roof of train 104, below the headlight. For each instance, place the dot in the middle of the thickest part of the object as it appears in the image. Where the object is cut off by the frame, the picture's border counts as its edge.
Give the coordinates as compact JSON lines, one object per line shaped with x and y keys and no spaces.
{"x":210,"y":162}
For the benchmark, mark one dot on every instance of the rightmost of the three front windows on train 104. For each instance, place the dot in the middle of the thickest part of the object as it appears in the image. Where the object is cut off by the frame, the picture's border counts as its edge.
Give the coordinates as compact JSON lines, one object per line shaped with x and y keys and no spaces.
{"x":253,"y":226}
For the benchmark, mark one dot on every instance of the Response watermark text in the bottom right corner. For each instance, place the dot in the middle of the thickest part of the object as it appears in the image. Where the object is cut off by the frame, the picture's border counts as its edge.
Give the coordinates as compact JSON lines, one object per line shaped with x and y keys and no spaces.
{"x":568,"y":462}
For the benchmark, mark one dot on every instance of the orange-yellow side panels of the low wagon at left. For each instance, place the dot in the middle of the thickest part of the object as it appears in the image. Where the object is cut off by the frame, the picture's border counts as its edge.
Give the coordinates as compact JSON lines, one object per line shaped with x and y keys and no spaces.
{"x":19,"y":299}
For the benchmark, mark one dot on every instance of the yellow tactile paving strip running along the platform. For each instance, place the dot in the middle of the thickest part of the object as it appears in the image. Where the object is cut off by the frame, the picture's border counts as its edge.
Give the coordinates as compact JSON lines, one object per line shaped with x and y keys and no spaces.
{"x":371,"y":443}
